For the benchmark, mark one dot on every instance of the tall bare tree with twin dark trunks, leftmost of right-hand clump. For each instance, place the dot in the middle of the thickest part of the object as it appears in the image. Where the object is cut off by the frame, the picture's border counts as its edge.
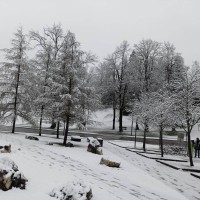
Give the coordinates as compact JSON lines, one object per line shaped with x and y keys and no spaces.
{"x":116,"y":79}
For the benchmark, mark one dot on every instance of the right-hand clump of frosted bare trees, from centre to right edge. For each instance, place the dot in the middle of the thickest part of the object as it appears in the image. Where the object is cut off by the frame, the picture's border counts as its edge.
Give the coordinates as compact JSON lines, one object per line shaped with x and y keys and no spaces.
{"x":151,"y":82}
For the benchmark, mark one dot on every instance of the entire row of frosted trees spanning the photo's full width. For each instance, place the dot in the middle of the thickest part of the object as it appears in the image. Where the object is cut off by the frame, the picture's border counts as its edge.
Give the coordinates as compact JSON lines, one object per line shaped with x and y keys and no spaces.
{"x":62,"y":83}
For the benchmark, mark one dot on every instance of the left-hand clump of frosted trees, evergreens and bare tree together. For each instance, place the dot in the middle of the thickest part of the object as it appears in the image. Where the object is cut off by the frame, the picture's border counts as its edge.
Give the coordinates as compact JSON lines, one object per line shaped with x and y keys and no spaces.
{"x":55,"y":84}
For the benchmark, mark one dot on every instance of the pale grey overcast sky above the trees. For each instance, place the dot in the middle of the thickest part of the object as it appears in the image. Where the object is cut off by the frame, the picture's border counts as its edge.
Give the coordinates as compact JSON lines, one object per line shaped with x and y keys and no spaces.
{"x":101,"y":25}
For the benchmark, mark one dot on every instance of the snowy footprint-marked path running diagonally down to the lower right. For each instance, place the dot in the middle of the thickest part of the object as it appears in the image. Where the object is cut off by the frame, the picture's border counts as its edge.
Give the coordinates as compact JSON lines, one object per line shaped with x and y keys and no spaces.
{"x":181,"y":181}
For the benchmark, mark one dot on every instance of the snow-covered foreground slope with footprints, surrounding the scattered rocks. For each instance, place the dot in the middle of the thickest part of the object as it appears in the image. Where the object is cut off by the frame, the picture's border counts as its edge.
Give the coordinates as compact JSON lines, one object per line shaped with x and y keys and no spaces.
{"x":49,"y":166}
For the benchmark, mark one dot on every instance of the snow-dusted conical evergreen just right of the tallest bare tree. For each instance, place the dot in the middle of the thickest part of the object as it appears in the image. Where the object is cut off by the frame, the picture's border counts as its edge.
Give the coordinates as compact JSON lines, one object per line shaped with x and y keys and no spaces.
{"x":68,"y":82}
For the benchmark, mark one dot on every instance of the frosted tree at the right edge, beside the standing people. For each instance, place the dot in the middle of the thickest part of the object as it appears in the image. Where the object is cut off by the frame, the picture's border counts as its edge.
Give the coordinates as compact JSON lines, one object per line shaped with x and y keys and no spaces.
{"x":186,"y":103}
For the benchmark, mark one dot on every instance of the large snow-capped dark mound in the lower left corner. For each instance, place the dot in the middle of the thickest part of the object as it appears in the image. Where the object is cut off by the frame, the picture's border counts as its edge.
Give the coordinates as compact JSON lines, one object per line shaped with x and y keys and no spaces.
{"x":10,"y":176}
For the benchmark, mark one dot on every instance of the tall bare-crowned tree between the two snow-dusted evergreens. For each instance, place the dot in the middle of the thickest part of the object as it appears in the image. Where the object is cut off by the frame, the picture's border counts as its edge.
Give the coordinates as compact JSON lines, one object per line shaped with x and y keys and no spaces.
{"x":49,"y":45}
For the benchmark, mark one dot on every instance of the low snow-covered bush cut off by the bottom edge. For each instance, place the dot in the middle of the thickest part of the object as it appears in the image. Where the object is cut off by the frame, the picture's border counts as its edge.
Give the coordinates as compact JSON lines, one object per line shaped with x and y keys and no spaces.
{"x":76,"y":190}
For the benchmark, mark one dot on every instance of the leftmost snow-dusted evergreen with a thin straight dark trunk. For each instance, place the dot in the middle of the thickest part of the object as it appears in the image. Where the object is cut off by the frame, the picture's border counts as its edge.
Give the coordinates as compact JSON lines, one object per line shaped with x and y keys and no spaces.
{"x":14,"y":71}
